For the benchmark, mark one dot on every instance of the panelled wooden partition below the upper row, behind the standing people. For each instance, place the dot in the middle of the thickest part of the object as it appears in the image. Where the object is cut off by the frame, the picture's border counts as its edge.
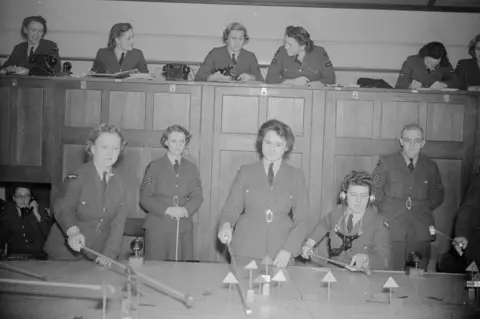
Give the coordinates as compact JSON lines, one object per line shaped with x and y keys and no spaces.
{"x":44,"y":124}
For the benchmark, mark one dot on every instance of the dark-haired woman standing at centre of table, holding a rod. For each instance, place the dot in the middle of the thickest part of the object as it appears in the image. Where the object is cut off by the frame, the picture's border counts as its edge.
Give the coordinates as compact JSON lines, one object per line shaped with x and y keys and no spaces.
{"x":267,"y":192}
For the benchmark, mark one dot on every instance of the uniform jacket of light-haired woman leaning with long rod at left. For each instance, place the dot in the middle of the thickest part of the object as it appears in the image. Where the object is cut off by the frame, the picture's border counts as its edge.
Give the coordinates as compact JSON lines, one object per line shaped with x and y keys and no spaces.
{"x":99,"y":213}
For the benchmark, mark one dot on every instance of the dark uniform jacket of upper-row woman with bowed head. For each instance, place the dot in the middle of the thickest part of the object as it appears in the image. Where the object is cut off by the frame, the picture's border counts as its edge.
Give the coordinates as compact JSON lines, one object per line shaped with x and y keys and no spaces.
{"x":414,"y":69}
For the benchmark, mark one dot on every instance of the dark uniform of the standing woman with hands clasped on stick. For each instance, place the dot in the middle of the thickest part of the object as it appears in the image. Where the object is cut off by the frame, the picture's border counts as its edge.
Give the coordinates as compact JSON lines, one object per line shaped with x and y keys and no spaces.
{"x":159,"y":187}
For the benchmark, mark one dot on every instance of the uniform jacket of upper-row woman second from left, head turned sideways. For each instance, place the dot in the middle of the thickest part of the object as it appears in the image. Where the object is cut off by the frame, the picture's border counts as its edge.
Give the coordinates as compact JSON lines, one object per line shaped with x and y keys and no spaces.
{"x":106,"y":61}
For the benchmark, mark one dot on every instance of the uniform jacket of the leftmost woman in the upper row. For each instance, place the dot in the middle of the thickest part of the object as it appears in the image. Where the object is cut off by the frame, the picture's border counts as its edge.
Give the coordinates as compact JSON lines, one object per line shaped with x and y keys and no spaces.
{"x":20,"y":56}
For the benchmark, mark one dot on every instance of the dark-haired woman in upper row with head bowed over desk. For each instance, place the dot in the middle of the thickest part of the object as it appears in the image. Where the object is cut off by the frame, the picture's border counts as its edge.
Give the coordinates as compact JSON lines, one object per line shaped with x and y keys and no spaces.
{"x":430,"y":68}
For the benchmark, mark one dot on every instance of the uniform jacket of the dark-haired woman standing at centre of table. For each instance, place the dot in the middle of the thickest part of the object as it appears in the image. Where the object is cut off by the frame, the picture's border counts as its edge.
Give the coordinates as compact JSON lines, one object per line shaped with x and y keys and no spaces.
{"x":251,"y":194}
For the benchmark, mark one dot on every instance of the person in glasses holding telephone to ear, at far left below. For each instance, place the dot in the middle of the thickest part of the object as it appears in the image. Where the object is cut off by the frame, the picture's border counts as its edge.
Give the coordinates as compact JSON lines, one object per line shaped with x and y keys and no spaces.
{"x":24,"y":227}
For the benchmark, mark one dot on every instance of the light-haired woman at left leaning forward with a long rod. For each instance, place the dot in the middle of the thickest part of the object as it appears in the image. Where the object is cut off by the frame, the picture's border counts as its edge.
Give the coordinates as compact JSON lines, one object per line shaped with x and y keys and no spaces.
{"x":89,"y":208}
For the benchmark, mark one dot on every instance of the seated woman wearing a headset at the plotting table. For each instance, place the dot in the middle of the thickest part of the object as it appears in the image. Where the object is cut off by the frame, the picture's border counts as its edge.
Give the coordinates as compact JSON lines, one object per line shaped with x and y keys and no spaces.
{"x":357,"y":234}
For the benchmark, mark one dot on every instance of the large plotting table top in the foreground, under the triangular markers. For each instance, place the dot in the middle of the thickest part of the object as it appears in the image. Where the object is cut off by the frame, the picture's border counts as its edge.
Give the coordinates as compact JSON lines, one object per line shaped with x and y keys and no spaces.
{"x":354,"y":295}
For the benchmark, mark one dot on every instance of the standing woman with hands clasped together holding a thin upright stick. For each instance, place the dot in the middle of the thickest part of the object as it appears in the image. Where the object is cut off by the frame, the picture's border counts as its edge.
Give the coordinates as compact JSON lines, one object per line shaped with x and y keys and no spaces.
{"x":171,"y":193}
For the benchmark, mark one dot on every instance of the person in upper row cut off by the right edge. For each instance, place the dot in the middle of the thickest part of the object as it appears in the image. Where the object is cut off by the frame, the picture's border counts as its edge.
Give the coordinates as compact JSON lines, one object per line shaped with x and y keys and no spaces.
{"x":468,"y":70}
